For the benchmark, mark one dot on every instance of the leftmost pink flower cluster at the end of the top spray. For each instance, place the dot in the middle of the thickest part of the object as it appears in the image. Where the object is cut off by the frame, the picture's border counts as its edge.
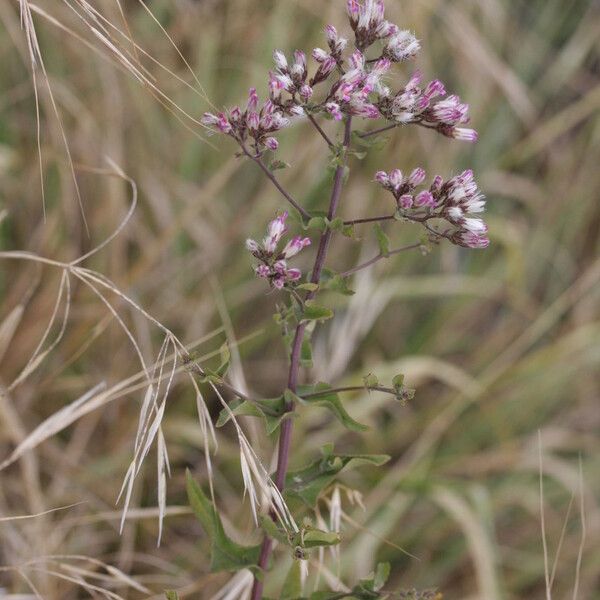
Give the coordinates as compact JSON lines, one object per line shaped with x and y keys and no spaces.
{"x":256,"y":123}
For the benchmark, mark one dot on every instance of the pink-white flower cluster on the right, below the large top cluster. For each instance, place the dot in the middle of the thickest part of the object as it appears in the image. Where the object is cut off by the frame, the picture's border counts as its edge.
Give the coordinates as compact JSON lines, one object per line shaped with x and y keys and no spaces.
{"x":453,"y":201}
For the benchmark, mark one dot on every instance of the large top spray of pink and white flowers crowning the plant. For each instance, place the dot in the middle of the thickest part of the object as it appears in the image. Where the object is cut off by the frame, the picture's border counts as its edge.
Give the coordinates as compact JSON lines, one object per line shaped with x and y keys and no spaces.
{"x":358,"y":89}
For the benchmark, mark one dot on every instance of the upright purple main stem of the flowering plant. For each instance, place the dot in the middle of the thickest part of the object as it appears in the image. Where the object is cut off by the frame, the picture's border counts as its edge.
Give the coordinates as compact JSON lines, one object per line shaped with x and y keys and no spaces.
{"x":285,"y":437}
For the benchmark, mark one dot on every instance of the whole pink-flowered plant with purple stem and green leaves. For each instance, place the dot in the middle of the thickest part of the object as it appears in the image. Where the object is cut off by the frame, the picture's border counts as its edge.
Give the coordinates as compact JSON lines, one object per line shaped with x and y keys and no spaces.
{"x":348,"y":81}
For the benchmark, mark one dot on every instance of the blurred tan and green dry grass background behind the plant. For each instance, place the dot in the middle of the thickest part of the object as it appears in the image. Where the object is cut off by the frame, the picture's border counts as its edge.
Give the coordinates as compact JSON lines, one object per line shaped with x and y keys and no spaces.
{"x":502,"y":345}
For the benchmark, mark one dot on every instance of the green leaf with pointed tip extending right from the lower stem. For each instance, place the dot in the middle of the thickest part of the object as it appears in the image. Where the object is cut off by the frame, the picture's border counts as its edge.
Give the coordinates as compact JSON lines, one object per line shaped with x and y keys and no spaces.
{"x":308,"y":483}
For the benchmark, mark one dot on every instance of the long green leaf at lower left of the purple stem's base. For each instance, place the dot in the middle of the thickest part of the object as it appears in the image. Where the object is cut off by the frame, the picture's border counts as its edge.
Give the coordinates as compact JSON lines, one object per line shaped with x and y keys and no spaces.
{"x":226,"y":555}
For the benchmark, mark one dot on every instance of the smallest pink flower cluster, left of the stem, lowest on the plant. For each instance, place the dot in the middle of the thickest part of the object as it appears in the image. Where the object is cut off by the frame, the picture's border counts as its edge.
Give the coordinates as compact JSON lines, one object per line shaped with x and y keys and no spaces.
{"x":273,"y":262}
